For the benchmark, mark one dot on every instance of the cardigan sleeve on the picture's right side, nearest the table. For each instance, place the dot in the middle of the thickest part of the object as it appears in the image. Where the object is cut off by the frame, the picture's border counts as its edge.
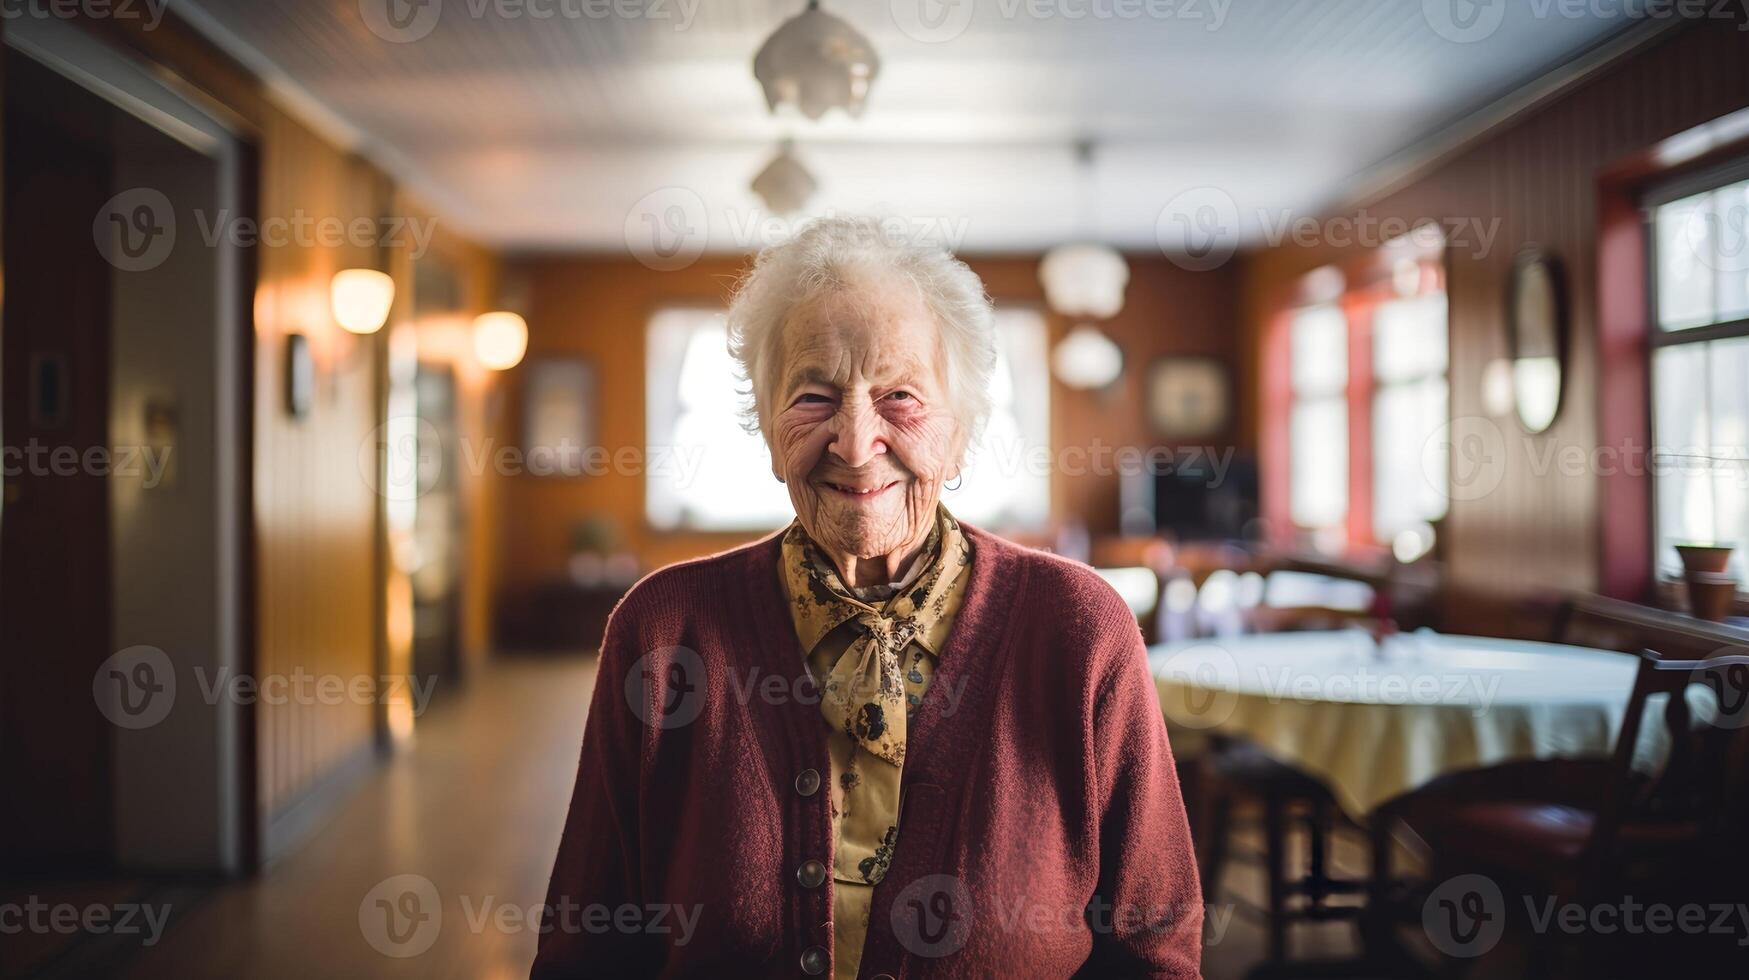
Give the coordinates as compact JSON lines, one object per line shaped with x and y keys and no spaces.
{"x":1148,"y":911}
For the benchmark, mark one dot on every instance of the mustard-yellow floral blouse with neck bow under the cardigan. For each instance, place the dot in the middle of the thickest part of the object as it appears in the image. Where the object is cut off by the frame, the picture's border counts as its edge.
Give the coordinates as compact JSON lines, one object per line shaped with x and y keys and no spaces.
{"x":872,"y":654}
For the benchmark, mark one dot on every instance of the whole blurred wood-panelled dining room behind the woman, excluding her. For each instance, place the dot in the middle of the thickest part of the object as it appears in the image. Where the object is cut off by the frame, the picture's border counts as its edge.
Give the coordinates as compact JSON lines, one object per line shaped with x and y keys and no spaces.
{"x":1390,"y":358}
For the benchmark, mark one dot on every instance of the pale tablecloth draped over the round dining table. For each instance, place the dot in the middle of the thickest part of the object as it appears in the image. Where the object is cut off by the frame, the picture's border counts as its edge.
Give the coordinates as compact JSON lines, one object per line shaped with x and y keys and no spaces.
{"x":1376,"y":722}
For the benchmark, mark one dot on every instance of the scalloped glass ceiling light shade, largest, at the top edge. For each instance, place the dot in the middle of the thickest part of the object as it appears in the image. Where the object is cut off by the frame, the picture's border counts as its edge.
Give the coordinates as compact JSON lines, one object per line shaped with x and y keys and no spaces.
{"x":816,"y":62}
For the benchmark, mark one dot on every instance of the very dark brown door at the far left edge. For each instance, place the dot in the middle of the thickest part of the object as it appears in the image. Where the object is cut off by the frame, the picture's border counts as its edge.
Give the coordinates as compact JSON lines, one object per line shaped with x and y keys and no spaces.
{"x":55,"y":533}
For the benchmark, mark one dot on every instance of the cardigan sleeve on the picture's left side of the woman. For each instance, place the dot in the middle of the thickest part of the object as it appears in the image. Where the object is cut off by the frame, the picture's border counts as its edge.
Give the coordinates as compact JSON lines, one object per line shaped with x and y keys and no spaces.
{"x":597,"y":867}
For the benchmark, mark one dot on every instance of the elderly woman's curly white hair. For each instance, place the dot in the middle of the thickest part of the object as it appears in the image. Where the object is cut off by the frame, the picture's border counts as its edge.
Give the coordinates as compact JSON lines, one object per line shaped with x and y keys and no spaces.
{"x":837,"y":253}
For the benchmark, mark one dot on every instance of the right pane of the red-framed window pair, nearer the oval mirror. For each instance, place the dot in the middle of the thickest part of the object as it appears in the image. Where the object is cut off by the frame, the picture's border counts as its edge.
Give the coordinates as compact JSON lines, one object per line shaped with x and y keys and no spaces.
{"x":1411,"y":405}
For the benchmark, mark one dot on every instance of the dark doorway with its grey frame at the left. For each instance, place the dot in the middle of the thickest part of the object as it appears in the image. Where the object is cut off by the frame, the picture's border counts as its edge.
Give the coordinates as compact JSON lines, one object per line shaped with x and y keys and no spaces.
{"x":125,"y":430}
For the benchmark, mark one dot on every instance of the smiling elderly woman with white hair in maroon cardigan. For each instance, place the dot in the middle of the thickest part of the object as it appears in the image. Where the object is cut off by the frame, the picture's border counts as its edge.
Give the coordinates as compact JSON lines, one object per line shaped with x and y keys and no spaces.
{"x":879,"y":743}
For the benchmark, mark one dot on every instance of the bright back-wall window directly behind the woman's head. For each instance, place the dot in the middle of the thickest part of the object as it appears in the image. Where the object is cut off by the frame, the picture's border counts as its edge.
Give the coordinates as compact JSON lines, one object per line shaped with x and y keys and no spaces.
{"x":707,"y":473}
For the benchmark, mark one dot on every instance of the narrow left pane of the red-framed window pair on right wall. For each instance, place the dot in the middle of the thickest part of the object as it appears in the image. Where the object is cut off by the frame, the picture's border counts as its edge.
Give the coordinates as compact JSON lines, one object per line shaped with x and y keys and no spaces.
{"x":1318,"y":428}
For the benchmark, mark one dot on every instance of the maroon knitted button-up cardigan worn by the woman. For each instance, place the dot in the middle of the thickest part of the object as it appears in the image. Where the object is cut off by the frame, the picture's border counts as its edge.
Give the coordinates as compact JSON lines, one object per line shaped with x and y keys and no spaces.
{"x":1042,"y":825}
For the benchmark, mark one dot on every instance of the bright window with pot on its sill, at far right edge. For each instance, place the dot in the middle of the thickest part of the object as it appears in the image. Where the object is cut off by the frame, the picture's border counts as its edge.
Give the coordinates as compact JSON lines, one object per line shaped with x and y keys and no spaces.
{"x":1701,"y":363}
